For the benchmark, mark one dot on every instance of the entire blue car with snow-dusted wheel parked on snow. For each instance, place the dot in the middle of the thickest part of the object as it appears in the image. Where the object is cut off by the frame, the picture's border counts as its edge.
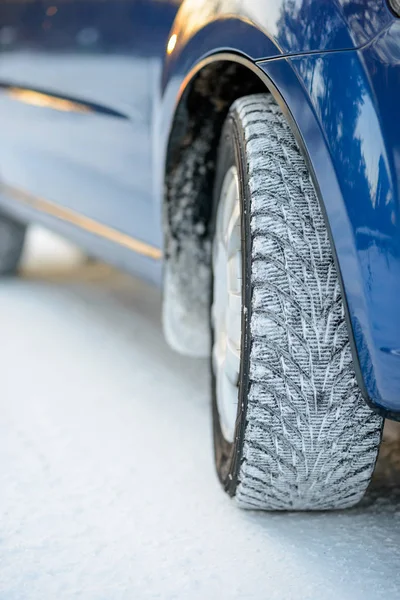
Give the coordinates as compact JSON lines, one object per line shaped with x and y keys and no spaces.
{"x":244,"y":155}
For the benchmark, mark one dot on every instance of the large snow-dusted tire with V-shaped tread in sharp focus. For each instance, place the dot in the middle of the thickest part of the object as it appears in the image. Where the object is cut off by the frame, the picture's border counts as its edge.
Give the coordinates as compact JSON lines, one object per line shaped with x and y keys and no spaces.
{"x":304,"y":438}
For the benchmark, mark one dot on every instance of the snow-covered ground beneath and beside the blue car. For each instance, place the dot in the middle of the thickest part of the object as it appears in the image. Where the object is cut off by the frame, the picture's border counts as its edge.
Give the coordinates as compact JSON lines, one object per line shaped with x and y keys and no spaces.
{"x":107,"y":489}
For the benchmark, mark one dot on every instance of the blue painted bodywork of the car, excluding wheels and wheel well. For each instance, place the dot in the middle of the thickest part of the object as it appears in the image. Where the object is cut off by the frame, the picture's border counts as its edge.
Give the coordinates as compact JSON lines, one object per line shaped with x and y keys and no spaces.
{"x":328,"y":60}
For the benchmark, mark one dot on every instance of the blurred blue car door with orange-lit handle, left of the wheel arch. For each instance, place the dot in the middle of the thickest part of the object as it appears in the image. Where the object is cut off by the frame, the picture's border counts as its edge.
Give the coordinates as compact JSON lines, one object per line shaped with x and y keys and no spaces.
{"x":77,"y":81}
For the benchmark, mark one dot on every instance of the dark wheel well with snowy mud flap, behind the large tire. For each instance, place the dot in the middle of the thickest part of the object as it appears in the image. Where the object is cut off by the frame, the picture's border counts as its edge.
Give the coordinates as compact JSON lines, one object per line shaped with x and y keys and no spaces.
{"x":190,"y":170}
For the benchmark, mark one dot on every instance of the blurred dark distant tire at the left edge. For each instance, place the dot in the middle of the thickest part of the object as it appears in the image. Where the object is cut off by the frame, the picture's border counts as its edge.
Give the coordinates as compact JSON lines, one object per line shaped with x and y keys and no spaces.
{"x":12,"y":237}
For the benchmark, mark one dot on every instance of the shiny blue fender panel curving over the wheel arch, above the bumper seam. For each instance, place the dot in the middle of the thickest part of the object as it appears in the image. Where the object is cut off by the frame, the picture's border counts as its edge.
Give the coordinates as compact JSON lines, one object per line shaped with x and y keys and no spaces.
{"x":256,"y":30}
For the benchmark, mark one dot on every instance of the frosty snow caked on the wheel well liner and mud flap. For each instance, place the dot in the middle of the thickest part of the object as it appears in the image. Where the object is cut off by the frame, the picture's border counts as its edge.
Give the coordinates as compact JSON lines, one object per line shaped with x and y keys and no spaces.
{"x":187,"y":268}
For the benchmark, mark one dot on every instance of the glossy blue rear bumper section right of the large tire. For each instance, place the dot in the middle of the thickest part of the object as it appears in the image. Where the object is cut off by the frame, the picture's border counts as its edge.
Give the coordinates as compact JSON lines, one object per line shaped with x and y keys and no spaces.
{"x":346,"y":106}
